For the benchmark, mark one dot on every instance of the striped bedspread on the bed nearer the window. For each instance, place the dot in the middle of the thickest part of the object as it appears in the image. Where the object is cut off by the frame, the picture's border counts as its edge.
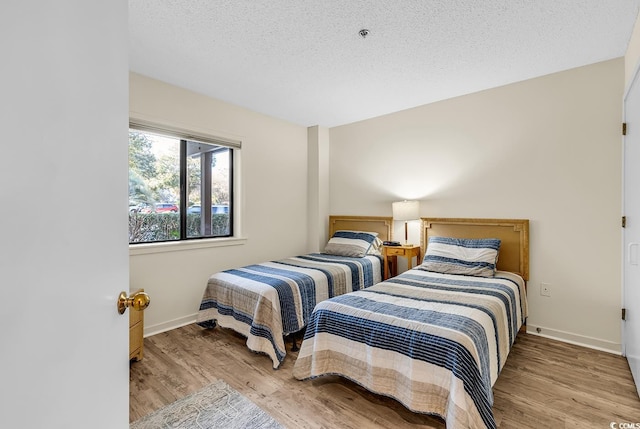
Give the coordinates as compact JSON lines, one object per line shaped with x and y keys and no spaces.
{"x":266,"y":301}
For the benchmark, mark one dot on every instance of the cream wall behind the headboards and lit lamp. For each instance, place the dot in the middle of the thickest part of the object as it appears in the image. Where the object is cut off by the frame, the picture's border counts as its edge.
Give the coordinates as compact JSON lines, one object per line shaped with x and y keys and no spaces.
{"x":546,"y":149}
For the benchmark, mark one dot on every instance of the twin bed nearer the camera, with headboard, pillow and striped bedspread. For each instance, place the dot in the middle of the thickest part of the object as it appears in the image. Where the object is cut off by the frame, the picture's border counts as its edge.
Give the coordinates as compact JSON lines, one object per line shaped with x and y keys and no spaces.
{"x":435,"y":337}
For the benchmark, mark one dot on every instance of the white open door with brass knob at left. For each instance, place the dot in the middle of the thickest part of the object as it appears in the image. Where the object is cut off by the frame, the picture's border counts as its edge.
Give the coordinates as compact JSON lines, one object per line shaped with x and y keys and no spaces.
{"x":63,"y":221}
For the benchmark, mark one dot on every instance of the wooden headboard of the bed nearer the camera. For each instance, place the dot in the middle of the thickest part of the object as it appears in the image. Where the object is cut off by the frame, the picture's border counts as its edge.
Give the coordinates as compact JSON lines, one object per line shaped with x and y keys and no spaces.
{"x":513,"y":233}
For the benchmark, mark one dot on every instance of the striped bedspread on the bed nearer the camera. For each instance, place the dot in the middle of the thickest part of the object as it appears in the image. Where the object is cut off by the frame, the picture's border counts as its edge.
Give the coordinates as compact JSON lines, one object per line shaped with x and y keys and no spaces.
{"x":434,"y":342}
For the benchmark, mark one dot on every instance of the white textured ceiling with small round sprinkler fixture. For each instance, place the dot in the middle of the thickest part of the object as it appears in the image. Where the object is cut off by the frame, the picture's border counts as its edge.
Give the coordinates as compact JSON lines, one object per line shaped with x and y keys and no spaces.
{"x":304,"y":61}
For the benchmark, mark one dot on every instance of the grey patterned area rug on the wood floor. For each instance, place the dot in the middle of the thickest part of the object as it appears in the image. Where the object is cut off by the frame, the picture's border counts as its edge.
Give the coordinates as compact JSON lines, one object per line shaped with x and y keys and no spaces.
{"x":215,"y":406}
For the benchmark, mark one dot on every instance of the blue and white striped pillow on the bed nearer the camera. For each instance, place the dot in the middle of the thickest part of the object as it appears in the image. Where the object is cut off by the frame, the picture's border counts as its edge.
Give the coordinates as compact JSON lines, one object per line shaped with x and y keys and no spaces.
{"x":471,"y":257}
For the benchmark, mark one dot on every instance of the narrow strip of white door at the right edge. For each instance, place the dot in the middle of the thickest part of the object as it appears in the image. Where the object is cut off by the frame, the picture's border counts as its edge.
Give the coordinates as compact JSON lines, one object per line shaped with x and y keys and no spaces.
{"x":631,"y":198}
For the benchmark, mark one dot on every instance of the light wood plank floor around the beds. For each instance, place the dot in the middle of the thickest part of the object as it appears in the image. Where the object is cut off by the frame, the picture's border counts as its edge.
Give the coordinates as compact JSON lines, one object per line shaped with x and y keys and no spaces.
{"x":544,"y":384}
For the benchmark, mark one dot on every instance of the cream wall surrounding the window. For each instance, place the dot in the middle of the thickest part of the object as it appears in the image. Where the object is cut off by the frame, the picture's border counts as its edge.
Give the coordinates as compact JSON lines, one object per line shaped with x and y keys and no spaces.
{"x":272,"y":195}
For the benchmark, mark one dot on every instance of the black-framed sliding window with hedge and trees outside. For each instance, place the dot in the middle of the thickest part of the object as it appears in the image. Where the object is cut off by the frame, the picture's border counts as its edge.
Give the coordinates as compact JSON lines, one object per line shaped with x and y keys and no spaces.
{"x":180,"y":185}
